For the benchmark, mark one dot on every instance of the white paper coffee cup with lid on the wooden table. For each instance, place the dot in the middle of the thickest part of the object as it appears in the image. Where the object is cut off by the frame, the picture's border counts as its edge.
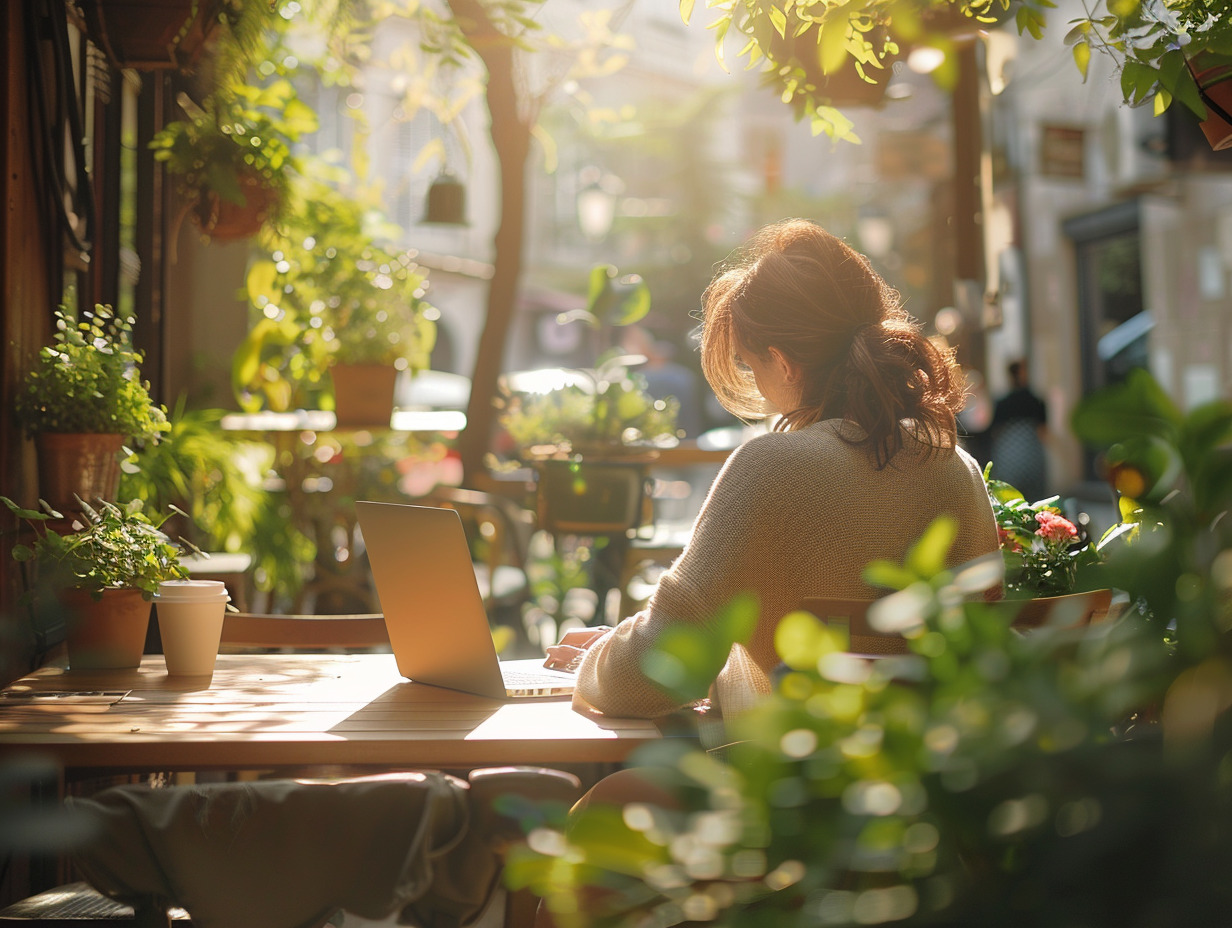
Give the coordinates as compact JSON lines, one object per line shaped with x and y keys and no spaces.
{"x":190,"y":621}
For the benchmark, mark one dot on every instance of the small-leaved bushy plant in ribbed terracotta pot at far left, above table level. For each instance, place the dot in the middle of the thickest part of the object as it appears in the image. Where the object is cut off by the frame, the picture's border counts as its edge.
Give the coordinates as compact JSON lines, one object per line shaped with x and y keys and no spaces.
{"x":82,"y":401}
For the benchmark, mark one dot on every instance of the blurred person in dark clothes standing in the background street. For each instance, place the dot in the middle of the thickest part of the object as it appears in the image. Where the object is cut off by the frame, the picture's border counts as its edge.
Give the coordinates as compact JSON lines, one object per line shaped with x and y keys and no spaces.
{"x":1017,"y":434}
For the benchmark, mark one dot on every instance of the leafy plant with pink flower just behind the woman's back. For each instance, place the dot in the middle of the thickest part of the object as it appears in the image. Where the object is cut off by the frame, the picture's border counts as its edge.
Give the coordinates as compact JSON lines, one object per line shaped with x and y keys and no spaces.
{"x":1042,"y":548}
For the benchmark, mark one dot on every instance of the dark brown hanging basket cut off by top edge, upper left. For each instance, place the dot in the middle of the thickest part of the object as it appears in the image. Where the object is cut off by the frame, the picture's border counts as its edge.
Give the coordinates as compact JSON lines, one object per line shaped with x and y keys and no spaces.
{"x":152,"y":35}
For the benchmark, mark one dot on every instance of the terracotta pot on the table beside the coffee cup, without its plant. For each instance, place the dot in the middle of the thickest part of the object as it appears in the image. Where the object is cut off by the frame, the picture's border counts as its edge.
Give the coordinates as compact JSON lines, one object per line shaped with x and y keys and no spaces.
{"x":108,"y":634}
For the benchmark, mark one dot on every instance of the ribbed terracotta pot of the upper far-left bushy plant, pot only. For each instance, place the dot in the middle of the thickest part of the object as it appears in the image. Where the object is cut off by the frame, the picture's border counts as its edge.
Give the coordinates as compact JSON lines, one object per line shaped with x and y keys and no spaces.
{"x":86,"y":464}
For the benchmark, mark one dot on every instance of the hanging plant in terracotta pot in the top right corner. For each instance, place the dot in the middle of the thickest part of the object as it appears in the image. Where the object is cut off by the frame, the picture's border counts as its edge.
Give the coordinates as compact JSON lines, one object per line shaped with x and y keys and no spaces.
{"x":1166,"y":51}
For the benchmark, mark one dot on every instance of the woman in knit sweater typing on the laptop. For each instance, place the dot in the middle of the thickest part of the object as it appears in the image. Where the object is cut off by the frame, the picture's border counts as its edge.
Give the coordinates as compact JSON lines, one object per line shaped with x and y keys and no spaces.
{"x":863,"y":459}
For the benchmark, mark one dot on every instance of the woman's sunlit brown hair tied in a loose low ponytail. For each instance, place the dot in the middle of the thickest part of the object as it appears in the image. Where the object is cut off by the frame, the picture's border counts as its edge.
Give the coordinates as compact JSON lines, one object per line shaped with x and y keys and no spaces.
{"x":799,"y":289}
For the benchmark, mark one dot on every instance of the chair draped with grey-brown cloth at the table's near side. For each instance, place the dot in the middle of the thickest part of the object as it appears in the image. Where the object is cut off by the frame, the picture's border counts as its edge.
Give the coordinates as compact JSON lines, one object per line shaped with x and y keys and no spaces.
{"x":294,"y":853}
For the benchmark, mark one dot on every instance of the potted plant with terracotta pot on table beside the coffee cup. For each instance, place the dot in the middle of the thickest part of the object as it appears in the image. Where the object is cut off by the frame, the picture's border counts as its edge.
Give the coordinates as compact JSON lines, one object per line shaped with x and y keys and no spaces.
{"x":103,"y":574}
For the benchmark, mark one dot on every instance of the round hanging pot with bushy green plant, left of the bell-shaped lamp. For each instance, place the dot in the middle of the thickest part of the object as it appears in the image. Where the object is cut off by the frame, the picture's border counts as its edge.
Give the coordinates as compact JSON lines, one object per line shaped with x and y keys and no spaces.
{"x":232,"y":156}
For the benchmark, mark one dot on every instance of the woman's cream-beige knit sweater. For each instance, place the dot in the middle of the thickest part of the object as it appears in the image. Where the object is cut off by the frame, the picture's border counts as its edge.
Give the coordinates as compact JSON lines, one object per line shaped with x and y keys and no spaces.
{"x":792,"y":515}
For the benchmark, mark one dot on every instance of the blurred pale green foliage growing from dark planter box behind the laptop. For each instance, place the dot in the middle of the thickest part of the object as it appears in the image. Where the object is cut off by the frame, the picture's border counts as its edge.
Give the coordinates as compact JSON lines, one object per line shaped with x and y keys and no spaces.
{"x":610,"y":412}
